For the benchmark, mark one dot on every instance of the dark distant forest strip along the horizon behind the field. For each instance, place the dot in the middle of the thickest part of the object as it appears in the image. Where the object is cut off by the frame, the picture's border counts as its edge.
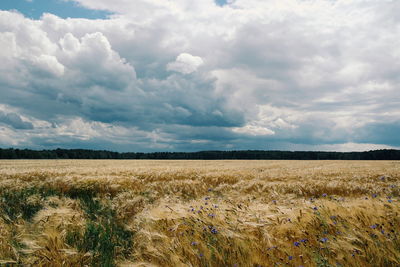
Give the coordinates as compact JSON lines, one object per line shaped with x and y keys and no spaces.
{"x":384,"y":154}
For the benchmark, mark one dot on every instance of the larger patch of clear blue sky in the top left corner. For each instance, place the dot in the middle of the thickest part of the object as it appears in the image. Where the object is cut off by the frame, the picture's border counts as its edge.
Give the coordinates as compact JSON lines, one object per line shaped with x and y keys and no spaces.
{"x":65,"y":9}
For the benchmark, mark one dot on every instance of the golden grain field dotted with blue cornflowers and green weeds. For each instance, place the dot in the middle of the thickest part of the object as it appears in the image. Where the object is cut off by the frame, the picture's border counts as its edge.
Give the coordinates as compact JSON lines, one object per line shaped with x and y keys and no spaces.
{"x":200,"y":213}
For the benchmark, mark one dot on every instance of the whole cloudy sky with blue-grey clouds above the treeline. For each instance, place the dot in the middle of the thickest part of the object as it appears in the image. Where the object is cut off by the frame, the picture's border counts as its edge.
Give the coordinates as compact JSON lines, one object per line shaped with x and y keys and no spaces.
{"x":186,"y":75}
